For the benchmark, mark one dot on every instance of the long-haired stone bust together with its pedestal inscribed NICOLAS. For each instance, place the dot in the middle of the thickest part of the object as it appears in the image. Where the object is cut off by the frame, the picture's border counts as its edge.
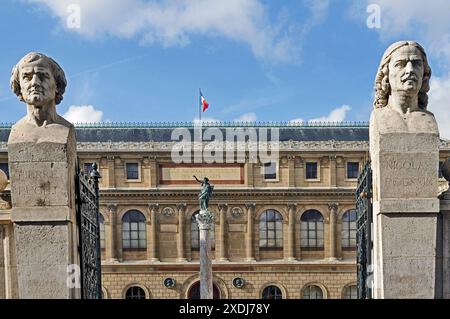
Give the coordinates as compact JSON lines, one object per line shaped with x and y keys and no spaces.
{"x":404,"y":153}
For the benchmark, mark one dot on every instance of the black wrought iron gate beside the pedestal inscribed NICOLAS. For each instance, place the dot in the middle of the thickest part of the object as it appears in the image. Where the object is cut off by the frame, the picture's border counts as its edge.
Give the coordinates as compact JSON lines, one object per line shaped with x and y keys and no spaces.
{"x":363,"y":234}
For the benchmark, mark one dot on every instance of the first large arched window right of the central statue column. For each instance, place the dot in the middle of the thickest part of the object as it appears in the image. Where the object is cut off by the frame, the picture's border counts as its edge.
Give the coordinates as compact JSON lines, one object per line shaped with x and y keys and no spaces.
{"x":271,"y":229}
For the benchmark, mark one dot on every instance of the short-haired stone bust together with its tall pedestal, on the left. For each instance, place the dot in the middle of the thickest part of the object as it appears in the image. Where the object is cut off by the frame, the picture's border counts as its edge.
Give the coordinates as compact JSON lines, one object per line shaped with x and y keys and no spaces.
{"x":42,"y":159}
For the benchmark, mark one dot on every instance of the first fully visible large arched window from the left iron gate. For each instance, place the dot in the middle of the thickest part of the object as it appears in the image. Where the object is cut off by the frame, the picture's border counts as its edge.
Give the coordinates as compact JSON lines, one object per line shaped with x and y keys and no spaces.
{"x":133,"y":230}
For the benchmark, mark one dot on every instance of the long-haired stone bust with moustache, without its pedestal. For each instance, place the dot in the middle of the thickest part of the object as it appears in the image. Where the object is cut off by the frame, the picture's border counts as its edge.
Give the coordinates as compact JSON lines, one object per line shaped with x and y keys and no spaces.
{"x":401,"y":86}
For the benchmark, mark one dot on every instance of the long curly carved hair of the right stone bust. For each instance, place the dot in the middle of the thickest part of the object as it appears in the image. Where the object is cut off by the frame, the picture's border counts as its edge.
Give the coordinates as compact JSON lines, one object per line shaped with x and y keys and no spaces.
{"x":382,"y":85}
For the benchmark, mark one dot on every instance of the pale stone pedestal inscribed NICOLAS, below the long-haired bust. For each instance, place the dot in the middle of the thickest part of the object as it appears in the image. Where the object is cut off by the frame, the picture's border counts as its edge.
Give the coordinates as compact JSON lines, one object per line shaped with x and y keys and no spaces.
{"x":404,"y":154}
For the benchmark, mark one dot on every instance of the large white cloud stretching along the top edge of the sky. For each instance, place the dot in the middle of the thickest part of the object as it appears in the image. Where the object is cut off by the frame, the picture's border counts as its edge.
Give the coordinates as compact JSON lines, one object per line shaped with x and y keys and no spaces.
{"x":174,"y":22}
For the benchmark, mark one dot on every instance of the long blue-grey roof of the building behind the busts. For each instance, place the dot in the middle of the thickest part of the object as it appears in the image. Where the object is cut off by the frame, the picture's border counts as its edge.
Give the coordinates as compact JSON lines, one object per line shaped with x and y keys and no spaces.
{"x":162,"y":132}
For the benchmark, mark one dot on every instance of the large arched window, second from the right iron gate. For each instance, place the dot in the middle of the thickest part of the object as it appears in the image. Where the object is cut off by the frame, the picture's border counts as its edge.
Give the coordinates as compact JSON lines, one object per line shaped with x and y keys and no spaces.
{"x":311,"y":230}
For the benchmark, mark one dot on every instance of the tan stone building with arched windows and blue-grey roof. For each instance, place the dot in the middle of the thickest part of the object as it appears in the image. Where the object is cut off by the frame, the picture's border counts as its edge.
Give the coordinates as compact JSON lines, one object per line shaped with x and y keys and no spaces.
{"x":284,"y":228}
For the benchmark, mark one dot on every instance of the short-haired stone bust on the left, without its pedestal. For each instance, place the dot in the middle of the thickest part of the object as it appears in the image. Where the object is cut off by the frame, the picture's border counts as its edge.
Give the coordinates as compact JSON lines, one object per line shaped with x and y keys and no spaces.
{"x":39,"y":82}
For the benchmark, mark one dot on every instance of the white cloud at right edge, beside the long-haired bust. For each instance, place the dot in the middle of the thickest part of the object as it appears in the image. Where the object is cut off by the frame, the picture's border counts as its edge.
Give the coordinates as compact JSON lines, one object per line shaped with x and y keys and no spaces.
{"x":439,"y":103}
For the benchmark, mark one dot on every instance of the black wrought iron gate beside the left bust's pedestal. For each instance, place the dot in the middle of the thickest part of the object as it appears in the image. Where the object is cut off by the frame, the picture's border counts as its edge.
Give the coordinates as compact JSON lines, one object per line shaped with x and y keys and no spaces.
{"x":86,"y":184}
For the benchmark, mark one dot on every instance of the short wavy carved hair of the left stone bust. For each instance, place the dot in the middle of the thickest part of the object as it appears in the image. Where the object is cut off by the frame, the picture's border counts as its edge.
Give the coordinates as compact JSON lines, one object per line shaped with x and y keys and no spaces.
{"x":56,"y":70}
